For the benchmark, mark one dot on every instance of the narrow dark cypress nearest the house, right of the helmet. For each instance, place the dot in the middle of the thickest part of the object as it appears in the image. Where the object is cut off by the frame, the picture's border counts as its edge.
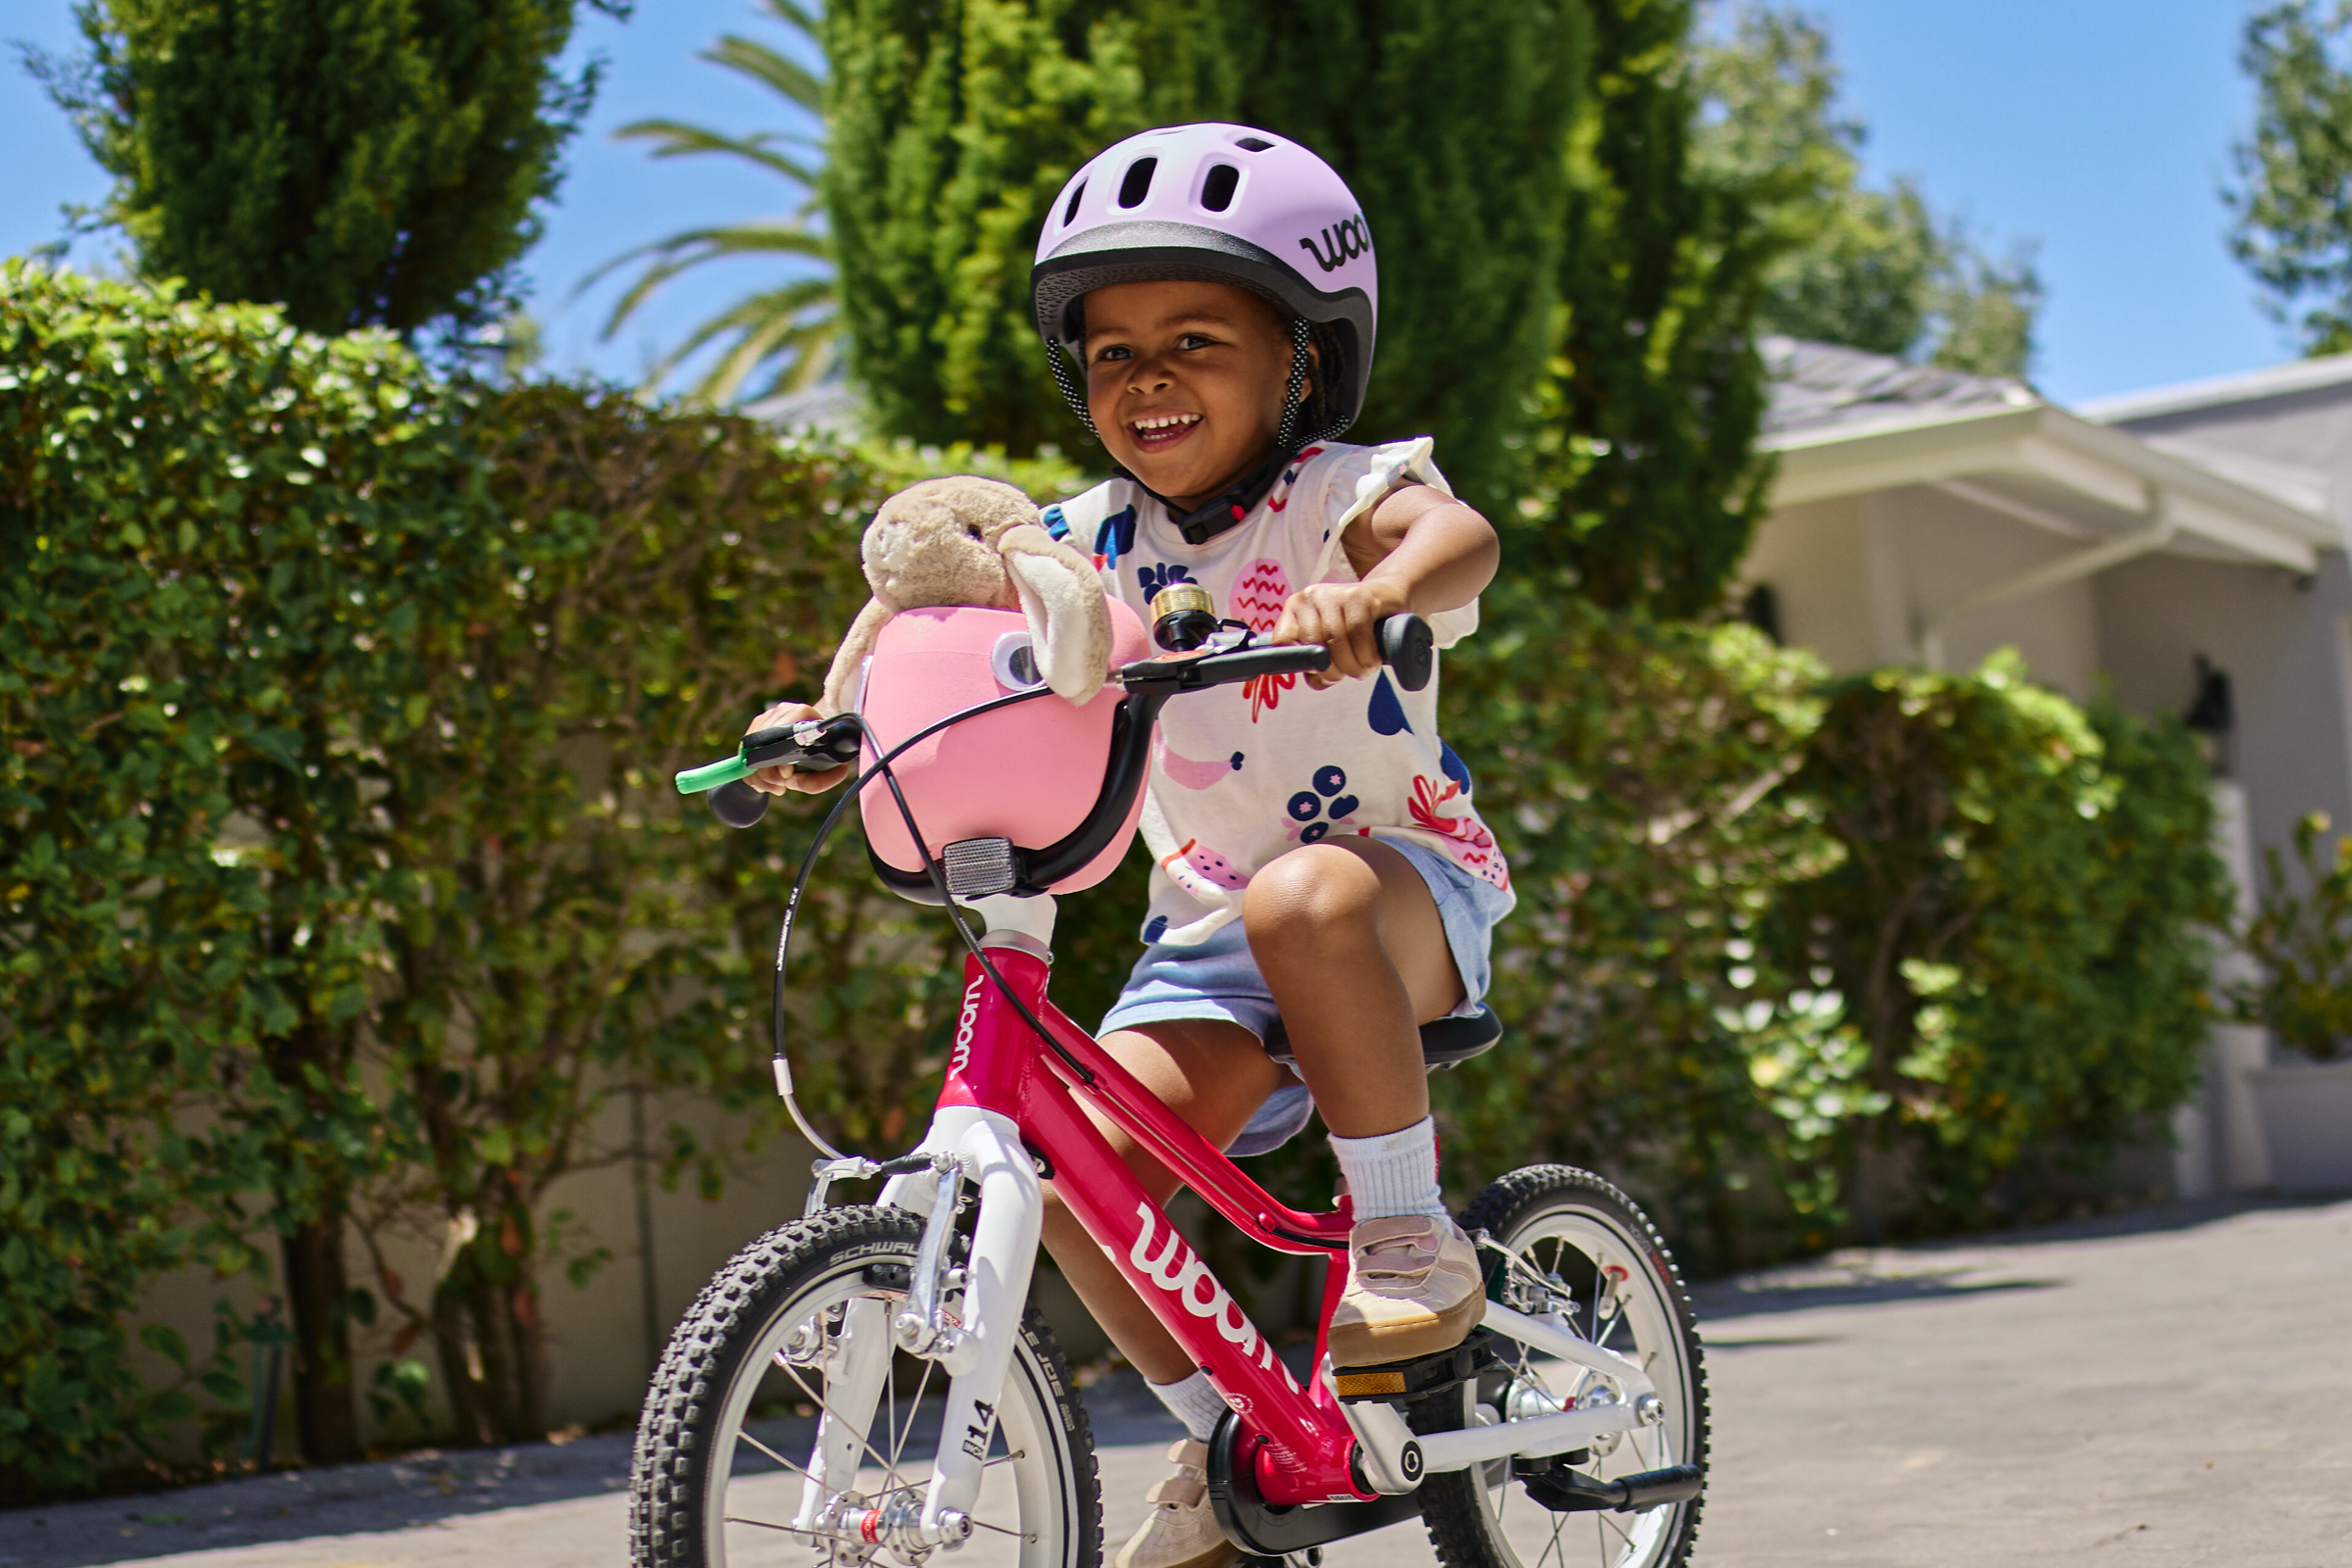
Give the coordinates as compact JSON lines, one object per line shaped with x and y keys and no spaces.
{"x":1648,"y":485}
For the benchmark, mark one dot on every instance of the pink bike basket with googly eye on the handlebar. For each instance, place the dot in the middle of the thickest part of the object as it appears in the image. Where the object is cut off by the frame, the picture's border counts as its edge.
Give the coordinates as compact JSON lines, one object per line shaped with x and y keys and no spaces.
{"x":1029,"y":772}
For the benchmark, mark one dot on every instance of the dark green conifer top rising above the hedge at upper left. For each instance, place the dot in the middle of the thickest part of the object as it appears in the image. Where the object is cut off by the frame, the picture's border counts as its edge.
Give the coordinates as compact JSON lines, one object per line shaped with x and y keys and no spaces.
{"x":366,"y":163}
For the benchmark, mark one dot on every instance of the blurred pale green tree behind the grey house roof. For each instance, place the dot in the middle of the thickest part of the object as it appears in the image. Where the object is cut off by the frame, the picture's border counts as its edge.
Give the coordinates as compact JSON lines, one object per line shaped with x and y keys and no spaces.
{"x":1862,"y":267}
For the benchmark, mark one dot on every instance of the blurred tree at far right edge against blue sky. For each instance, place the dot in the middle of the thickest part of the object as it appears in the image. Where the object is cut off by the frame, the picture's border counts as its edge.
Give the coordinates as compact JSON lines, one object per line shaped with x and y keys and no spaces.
{"x":2294,"y":173}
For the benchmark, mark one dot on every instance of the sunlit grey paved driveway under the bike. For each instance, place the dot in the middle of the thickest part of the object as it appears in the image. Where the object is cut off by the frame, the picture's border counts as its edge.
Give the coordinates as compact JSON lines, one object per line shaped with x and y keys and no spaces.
{"x":2172,"y":1388}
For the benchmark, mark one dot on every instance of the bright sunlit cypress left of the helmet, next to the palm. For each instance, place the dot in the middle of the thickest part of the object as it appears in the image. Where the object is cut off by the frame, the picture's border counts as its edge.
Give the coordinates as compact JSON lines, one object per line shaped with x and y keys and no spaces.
{"x":951,"y":126}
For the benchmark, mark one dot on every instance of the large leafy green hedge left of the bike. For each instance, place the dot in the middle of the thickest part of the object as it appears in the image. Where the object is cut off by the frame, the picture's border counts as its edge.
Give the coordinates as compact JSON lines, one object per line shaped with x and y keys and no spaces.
{"x":338,"y":713}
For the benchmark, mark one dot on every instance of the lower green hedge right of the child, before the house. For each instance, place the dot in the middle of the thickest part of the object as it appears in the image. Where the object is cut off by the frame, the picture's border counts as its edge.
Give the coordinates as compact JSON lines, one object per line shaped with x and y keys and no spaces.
{"x":1810,"y":960}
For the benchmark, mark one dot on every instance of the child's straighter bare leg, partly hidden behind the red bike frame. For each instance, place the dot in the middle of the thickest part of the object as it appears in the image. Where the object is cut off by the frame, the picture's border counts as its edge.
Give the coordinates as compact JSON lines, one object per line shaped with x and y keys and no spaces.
{"x":1210,"y":1073}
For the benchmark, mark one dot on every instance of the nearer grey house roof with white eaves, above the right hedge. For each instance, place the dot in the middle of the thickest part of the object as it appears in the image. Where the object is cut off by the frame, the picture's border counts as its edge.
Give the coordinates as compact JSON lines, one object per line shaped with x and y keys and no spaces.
{"x":1845,"y":424}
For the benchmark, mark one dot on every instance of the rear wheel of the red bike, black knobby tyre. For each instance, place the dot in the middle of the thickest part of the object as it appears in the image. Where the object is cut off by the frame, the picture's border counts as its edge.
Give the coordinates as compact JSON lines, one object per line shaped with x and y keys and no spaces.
{"x":1582,"y":1249}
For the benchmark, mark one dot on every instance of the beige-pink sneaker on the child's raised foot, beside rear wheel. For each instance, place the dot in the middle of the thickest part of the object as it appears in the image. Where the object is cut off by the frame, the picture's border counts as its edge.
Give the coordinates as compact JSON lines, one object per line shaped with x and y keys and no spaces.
{"x":1412,"y":1292}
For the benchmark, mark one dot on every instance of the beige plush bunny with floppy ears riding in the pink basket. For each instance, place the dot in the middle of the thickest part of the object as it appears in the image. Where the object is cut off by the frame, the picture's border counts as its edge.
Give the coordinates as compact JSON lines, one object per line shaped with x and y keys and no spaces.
{"x":977,"y":542}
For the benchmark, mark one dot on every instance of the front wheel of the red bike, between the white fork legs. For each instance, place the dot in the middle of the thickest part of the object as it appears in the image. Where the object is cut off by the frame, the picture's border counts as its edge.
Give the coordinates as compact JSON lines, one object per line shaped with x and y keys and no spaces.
{"x":728,"y":1426}
